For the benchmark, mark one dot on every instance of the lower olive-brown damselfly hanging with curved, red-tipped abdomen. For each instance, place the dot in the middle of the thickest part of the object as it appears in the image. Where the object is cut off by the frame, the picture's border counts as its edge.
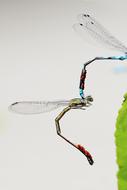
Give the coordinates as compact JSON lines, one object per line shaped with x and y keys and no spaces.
{"x":36,"y":107}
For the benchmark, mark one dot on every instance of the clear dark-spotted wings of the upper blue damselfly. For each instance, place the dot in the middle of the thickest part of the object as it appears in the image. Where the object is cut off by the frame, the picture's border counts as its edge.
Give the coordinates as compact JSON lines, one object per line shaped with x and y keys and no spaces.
{"x":89,"y":25}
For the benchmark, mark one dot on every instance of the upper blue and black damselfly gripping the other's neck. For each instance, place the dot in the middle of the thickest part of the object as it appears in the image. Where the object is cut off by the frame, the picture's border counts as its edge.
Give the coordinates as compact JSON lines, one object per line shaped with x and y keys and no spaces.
{"x":89,"y":26}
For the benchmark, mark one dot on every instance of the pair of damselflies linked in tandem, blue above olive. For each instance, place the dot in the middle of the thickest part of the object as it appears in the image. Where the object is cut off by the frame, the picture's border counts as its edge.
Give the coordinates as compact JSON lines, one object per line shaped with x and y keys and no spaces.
{"x":89,"y":25}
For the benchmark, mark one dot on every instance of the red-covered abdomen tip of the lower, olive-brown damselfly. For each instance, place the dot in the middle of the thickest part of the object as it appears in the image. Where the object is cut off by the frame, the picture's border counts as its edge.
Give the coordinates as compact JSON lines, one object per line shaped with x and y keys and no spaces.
{"x":86,"y":153}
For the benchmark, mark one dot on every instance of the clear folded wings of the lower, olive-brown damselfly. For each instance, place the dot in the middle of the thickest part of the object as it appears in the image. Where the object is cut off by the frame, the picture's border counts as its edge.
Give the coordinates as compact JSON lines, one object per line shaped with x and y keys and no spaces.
{"x":36,"y":107}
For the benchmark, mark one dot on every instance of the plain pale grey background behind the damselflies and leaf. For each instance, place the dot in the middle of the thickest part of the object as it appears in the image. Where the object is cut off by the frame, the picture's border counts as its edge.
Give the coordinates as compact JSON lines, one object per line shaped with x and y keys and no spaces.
{"x":41,"y":58}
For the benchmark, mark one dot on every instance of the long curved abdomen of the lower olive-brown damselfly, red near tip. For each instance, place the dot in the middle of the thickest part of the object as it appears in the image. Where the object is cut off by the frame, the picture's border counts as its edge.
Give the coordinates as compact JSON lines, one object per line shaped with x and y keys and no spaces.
{"x":79,"y":147}
